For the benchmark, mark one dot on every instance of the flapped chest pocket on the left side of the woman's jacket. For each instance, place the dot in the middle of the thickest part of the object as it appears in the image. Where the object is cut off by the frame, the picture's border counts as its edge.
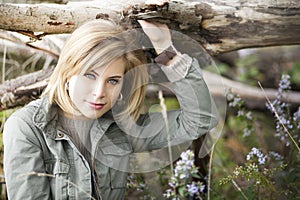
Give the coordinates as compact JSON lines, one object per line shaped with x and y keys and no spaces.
{"x":59,"y":182}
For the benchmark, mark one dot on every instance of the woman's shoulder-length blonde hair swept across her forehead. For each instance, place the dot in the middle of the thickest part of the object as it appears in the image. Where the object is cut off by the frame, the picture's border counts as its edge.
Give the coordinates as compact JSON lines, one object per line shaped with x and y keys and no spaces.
{"x":98,"y":43}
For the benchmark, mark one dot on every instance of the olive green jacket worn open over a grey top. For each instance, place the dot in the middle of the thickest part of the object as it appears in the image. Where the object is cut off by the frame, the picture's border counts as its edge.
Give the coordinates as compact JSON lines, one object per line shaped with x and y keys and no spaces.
{"x":42,"y":162}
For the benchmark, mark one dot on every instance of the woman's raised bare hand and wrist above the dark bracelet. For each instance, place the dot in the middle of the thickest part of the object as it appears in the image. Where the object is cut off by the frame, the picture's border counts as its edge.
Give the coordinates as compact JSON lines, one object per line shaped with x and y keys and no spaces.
{"x":159,"y":35}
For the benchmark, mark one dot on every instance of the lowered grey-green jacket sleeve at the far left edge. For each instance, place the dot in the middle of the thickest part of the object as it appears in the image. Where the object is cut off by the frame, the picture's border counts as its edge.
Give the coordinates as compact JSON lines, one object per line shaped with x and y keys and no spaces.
{"x":23,"y":158}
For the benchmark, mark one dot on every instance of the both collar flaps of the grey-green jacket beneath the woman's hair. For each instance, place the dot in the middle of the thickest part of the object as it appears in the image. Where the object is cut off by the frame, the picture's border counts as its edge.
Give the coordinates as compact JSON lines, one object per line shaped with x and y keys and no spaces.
{"x":46,"y":115}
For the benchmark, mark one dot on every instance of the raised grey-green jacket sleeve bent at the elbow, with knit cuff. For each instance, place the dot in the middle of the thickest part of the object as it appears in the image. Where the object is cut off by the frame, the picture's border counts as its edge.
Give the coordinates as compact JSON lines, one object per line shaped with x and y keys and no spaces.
{"x":197,"y":114}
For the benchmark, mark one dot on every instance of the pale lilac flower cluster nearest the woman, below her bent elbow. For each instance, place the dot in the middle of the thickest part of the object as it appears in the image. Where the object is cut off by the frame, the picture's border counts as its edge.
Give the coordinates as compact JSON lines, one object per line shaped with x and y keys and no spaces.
{"x":181,"y":182}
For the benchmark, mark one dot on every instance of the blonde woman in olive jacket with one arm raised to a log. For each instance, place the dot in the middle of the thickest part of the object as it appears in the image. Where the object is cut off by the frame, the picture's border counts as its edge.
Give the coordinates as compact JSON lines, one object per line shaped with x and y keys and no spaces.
{"x":76,"y":141}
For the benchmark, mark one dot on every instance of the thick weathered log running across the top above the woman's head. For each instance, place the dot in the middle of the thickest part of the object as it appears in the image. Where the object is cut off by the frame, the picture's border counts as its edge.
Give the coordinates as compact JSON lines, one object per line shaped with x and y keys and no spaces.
{"x":220,"y":26}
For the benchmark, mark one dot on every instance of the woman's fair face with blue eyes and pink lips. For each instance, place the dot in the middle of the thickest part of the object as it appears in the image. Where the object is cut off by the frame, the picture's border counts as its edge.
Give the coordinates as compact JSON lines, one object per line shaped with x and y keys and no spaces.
{"x":95,"y":92}
